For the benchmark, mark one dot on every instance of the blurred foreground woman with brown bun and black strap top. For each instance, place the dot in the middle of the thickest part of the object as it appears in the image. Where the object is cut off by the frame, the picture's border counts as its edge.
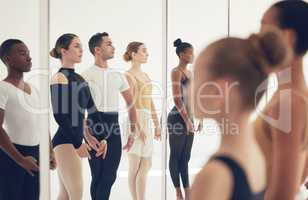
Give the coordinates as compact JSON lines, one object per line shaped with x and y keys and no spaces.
{"x":227,"y":88}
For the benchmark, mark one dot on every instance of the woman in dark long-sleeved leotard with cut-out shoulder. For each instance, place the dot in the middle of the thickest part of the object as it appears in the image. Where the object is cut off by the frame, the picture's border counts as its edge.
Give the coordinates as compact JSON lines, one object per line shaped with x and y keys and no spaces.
{"x":70,"y":97}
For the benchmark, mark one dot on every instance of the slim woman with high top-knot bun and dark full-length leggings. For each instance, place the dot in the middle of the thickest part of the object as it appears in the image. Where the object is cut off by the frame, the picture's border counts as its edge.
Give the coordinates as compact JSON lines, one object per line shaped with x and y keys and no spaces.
{"x":180,"y":124}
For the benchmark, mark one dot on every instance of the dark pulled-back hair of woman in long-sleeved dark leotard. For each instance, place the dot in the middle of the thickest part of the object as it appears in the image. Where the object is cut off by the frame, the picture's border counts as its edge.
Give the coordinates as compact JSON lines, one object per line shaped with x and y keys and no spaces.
{"x":63,"y":42}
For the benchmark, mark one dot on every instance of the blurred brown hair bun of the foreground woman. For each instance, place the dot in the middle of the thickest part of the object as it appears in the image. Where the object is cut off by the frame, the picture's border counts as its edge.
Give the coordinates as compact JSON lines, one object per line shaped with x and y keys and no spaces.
{"x":271,"y":46}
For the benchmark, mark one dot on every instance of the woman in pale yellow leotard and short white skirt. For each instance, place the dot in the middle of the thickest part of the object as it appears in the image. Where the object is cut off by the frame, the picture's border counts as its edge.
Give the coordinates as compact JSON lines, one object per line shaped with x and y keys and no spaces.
{"x":140,"y":155}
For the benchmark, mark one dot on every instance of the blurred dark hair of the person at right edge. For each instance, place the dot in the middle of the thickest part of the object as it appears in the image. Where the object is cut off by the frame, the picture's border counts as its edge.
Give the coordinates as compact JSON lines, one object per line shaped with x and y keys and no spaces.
{"x":293,"y":14}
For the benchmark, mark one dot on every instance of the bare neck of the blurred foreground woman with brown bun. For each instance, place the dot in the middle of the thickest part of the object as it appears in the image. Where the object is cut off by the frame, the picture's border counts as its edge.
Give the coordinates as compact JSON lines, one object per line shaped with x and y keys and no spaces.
{"x":237,"y":135}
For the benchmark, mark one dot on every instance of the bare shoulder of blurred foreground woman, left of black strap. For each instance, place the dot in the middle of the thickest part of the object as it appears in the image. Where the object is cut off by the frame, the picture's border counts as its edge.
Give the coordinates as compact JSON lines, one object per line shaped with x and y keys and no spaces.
{"x":209,"y":183}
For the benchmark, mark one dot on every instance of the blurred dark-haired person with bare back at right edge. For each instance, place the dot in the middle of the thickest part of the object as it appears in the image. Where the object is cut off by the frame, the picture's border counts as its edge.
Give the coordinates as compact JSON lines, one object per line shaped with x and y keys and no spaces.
{"x":280,"y":145}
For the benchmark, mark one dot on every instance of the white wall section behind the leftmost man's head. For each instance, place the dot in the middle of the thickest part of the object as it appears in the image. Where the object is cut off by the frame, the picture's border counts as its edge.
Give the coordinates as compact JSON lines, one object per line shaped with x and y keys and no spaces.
{"x":21,"y":21}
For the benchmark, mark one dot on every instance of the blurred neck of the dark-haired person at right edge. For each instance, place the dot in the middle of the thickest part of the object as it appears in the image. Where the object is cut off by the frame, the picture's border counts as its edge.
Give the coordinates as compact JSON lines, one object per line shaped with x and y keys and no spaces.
{"x":297,"y":75}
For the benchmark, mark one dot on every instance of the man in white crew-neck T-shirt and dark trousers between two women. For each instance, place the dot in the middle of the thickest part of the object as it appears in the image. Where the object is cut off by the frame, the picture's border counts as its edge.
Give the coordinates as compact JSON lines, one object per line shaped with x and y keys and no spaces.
{"x":106,"y":85}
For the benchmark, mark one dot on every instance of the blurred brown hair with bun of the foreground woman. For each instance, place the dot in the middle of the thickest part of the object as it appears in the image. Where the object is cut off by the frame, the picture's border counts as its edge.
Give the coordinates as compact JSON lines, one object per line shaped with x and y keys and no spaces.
{"x":250,"y":64}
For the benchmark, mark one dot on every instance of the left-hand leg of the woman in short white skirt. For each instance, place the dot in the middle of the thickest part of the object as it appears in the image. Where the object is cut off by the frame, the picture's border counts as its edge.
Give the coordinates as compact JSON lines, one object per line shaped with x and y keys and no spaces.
{"x":133,"y":167}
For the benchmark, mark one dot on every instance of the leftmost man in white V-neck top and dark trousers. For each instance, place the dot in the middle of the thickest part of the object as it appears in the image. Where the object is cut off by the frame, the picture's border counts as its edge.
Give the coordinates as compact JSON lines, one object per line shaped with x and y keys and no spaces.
{"x":19,"y":126}
